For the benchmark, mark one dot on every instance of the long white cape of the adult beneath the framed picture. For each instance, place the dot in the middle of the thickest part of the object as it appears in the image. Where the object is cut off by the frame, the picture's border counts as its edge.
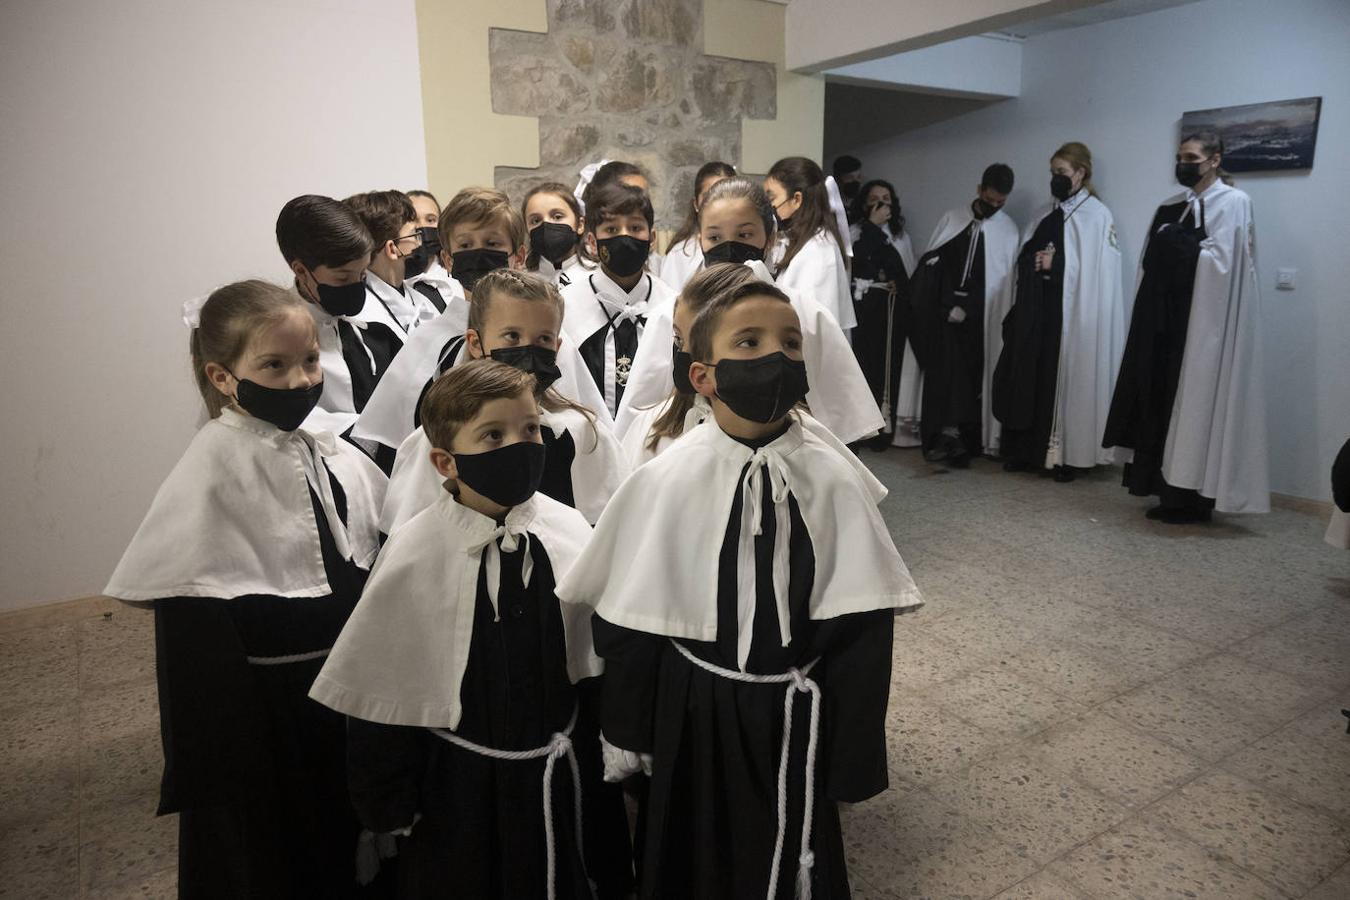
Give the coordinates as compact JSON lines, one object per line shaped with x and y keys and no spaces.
{"x":1217,"y":439}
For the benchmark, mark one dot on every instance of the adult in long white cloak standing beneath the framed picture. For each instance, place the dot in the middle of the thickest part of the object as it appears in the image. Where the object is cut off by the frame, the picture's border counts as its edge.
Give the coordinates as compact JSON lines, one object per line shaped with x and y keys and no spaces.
{"x":1190,"y":401}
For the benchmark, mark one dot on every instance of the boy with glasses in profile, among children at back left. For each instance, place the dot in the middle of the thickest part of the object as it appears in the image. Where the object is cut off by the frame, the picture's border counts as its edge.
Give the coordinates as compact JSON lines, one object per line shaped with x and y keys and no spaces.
{"x":399,"y":257}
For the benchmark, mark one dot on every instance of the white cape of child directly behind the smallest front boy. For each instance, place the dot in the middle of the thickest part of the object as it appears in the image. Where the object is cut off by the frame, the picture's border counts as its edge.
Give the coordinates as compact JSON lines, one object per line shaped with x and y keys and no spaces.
{"x":599,"y":469}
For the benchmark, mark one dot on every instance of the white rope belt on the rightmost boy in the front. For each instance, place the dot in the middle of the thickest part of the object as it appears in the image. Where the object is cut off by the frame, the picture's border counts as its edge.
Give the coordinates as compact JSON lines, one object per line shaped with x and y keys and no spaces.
{"x":797,"y":682}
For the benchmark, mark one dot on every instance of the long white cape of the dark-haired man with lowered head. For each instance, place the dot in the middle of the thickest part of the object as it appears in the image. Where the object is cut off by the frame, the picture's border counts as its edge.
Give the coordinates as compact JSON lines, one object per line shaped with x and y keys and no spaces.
{"x":1001,"y":248}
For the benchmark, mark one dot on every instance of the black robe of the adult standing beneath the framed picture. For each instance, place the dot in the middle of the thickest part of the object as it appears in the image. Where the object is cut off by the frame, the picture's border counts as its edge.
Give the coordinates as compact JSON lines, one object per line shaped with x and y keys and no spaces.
{"x":1145,"y":391}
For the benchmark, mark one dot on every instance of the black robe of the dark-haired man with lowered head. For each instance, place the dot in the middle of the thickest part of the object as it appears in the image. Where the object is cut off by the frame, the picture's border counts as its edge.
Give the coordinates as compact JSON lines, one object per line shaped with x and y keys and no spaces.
{"x":951,"y":354}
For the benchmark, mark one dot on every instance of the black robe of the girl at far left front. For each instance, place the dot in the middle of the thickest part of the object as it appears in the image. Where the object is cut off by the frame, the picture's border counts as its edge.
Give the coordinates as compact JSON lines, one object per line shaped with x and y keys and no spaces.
{"x":254,"y":768}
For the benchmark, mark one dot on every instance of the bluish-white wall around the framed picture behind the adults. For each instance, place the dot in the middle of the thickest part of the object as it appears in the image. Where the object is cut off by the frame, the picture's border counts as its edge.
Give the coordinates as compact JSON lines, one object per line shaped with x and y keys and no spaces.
{"x":1121,"y":88}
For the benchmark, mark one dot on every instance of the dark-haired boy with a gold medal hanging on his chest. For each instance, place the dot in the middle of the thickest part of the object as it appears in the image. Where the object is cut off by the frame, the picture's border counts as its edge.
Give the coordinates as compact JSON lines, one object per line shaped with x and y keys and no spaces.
{"x":607,"y":310}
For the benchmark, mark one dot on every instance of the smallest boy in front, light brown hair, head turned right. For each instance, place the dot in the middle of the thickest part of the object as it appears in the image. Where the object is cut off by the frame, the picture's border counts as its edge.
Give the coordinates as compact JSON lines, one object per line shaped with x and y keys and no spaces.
{"x":470,"y":733}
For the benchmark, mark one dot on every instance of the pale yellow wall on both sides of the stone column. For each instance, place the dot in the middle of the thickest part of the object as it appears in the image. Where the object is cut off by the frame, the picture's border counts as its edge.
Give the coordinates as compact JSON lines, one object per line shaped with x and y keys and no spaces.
{"x":466,"y":141}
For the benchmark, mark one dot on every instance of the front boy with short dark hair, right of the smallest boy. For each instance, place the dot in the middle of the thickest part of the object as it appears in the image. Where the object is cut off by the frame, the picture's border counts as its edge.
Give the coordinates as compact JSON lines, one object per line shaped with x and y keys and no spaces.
{"x":746,"y":562}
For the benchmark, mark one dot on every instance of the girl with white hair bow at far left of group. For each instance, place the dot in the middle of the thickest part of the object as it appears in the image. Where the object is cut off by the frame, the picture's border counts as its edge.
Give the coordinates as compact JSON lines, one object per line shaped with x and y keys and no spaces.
{"x":253,"y":555}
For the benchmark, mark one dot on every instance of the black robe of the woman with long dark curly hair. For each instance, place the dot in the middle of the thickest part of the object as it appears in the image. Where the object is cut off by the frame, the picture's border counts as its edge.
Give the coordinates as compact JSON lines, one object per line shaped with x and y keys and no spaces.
{"x":884,"y":316}
